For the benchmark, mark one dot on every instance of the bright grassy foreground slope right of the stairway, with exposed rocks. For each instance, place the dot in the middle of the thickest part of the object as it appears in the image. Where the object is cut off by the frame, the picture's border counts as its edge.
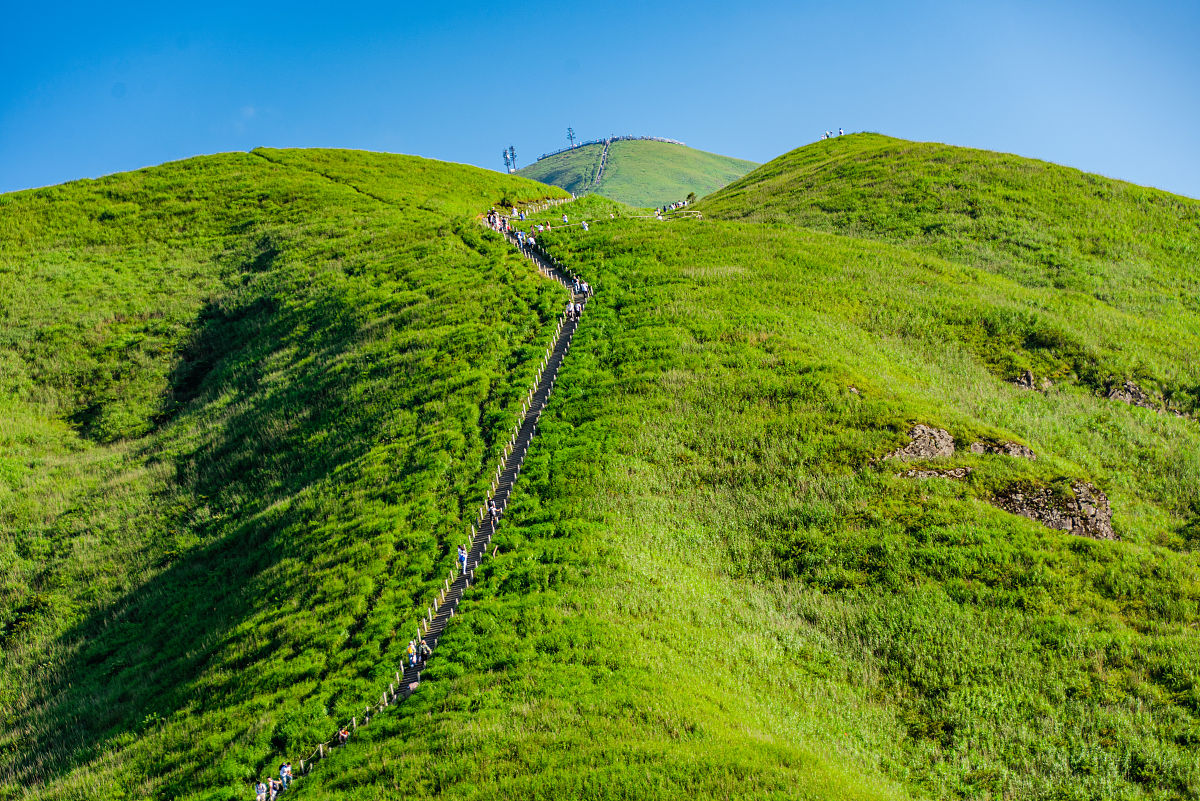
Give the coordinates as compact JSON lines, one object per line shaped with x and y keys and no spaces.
{"x":713,"y":587}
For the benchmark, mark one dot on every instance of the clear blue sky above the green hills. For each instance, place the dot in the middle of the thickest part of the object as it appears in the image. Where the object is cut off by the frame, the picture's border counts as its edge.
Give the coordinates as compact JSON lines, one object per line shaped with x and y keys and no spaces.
{"x":1112,"y":88}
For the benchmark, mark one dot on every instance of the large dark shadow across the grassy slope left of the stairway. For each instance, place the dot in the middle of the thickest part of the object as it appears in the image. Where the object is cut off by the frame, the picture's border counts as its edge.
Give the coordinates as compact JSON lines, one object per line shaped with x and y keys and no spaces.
{"x":262,"y":441}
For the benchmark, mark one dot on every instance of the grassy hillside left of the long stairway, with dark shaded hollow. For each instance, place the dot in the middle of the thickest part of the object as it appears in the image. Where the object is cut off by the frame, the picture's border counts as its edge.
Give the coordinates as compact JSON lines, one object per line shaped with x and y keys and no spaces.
{"x":247,"y":408}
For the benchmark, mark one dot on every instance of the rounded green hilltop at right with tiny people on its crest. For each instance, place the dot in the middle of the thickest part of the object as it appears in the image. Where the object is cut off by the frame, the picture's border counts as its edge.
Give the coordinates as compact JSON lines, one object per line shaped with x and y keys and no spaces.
{"x":1039,"y":224}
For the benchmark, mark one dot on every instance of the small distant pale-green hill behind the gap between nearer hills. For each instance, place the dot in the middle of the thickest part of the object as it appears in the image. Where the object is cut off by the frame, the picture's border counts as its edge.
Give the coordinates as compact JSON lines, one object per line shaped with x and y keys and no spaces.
{"x":640,"y":173}
